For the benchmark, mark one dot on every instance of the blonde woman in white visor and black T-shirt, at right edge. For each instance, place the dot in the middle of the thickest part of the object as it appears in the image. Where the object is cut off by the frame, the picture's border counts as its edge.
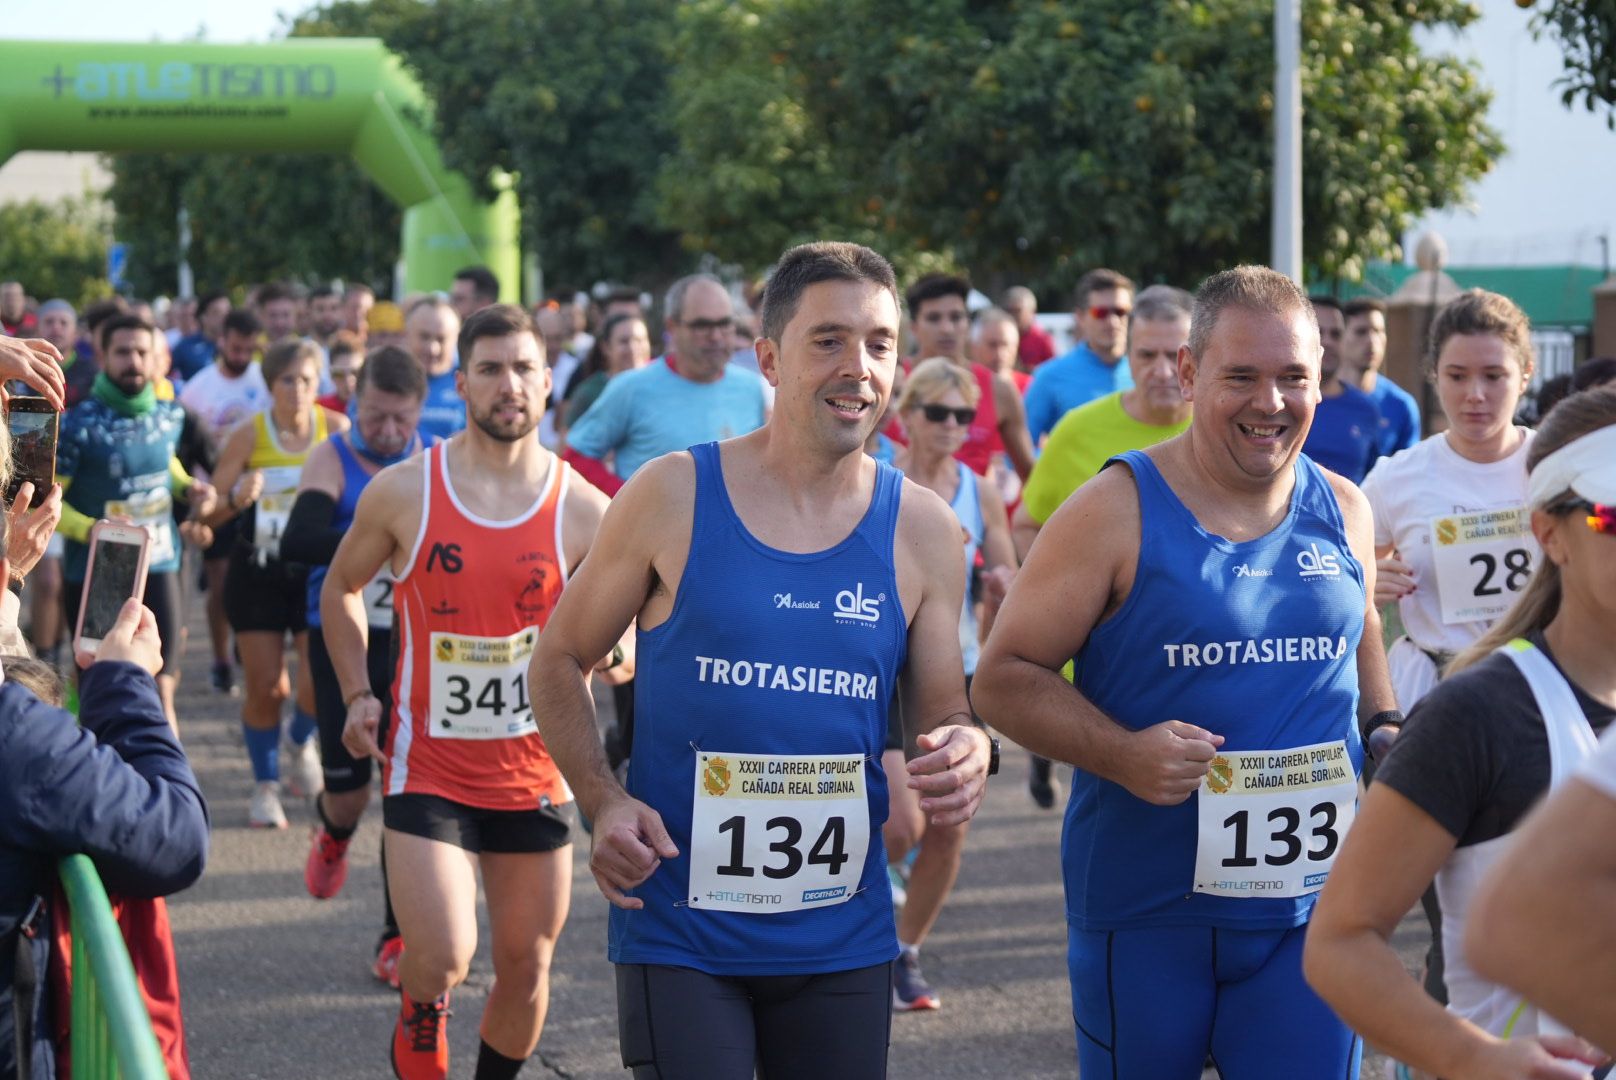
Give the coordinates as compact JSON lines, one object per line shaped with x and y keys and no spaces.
{"x":1518,"y":712}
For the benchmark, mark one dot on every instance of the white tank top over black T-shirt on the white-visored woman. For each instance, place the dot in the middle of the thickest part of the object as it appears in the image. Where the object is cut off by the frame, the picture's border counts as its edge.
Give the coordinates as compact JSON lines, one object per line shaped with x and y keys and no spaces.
{"x":1572,"y":741}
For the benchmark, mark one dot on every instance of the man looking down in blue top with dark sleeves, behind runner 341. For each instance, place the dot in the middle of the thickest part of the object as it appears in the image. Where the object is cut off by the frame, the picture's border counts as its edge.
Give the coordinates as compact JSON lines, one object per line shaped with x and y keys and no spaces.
{"x":387,"y":415}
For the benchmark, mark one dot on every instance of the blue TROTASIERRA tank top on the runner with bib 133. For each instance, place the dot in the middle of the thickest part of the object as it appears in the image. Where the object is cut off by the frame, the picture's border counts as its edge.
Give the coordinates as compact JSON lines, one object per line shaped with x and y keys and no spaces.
{"x":1253,"y":641}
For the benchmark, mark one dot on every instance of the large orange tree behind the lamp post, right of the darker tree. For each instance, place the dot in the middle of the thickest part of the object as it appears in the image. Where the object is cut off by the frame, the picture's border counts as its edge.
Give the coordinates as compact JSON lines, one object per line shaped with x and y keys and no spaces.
{"x":1032,"y":140}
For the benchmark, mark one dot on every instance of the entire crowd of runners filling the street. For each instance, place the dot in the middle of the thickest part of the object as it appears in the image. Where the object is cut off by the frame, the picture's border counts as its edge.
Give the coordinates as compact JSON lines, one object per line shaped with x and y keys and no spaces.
{"x":823,"y":541}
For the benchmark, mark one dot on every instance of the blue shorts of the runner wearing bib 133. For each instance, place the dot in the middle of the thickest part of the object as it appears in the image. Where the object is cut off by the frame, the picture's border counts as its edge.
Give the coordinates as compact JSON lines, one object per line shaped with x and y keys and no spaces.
{"x":1156,"y":1003}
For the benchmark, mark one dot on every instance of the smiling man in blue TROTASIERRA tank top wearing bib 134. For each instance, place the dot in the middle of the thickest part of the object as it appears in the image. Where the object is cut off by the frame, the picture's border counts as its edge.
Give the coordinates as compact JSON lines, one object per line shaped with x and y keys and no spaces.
{"x":781,"y":581}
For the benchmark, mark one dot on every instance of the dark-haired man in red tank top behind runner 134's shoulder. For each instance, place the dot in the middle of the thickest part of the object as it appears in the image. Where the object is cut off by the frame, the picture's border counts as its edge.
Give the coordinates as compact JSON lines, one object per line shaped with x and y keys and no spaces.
{"x":943,"y":327}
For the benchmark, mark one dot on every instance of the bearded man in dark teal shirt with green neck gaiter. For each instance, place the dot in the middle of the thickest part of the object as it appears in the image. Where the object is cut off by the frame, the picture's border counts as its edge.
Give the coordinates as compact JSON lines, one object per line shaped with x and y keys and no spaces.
{"x":117,"y":458}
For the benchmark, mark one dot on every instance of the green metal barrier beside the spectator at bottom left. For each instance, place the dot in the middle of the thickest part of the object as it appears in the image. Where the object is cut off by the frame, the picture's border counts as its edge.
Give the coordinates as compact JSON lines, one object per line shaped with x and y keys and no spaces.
{"x":112,"y":1032}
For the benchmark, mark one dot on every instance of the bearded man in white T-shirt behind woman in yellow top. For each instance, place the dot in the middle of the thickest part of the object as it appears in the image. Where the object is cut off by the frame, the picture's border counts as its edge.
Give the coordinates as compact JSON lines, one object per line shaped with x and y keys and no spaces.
{"x":221,"y":397}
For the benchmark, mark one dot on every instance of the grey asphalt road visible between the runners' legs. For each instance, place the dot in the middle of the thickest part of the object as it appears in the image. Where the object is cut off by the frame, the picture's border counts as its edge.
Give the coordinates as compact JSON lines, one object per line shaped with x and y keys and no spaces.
{"x":279,"y":985}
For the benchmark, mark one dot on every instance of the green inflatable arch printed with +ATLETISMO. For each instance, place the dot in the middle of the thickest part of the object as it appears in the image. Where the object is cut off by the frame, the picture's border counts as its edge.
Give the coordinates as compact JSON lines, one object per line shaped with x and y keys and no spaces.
{"x":303,"y":96}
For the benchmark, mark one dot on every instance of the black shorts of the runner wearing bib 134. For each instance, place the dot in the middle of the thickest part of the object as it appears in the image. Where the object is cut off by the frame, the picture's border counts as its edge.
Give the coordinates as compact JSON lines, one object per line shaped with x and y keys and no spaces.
{"x":680,"y":1024}
